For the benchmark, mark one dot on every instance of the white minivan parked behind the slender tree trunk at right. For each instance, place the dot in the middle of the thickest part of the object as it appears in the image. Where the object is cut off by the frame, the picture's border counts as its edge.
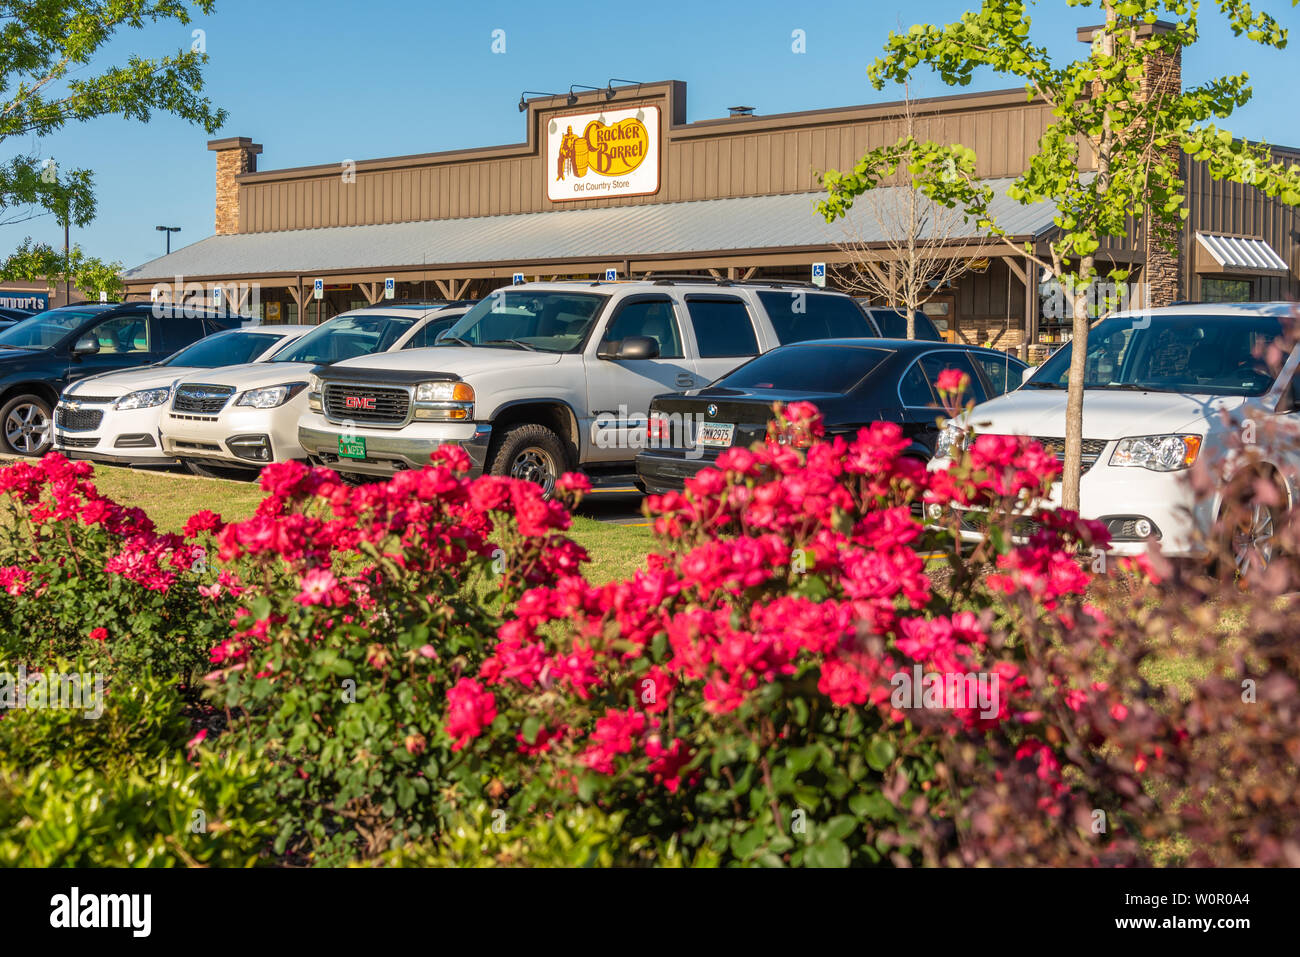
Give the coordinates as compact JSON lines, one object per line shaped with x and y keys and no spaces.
{"x":1165,"y":389}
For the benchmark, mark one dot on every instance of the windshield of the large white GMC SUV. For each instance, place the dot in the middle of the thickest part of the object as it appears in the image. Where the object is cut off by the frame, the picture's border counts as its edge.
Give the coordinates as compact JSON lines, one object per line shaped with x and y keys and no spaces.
{"x":538,"y":321}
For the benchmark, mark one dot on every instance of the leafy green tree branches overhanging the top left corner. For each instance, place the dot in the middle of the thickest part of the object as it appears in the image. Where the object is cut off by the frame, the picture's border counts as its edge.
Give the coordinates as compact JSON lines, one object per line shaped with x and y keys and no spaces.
{"x":50,"y":79}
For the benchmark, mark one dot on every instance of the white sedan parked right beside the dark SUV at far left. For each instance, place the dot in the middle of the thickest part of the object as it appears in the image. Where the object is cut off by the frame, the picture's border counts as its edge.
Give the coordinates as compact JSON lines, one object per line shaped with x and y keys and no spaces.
{"x":115,"y":417}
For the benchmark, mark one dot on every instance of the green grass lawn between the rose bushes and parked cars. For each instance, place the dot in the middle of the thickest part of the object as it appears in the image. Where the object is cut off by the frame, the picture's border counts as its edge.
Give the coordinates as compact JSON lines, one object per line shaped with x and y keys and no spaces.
{"x":170,"y":499}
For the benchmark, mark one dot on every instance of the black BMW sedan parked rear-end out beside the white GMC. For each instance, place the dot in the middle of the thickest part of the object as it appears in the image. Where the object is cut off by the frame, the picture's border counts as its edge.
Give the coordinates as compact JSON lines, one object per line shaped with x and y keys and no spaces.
{"x":853,"y":383}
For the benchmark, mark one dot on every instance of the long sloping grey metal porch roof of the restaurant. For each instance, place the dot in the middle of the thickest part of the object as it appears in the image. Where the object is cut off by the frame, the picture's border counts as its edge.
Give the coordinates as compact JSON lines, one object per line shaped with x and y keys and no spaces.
{"x":603,"y":235}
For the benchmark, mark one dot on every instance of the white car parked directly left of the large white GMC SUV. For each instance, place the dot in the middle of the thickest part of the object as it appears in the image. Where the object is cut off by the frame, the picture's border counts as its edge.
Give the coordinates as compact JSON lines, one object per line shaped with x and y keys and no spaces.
{"x":232,"y":422}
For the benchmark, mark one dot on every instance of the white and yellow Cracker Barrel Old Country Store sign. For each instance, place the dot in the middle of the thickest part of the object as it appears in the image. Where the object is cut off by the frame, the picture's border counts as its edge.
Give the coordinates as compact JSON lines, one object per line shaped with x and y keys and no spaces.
{"x":613,"y":153}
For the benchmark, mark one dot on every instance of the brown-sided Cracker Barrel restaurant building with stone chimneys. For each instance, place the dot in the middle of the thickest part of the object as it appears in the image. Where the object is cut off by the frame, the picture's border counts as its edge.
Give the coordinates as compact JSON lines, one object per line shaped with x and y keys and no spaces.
{"x":618,"y":180}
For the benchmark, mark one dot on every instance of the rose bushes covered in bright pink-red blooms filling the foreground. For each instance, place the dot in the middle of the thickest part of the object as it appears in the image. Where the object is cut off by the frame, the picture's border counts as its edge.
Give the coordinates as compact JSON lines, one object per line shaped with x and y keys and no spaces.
{"x":409,"y":664}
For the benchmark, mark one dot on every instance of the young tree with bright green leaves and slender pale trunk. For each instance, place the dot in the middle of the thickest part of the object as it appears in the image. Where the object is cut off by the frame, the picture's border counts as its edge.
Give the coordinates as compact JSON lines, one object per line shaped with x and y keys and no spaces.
{"x":1111,"y":155}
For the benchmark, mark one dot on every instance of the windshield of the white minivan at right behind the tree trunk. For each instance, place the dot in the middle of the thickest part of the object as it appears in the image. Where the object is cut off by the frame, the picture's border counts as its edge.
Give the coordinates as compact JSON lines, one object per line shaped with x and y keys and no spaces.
{"x":1203,"y":356}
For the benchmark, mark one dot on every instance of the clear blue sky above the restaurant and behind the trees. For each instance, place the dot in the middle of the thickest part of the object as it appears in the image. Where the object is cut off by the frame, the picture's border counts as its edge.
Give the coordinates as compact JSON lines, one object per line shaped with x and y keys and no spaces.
{"x":328,"y":81}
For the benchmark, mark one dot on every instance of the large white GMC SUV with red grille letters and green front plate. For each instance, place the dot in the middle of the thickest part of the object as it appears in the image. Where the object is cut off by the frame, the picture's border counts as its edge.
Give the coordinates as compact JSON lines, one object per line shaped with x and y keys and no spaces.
{"x":548,"y":378}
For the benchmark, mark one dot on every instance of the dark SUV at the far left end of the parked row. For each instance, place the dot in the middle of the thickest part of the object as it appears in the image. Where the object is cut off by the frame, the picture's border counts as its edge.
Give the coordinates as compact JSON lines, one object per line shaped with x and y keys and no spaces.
{"x":41,"y":356}
